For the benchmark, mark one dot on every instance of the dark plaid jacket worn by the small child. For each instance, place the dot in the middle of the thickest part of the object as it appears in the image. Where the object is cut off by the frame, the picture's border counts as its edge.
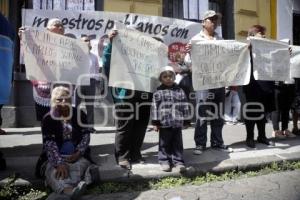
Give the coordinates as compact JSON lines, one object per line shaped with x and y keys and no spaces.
{"x":169,"y":107}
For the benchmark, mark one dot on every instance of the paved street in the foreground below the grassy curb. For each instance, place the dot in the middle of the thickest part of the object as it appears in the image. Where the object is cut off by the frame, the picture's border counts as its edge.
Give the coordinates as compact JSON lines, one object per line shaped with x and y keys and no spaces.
{"x":277,"y":186}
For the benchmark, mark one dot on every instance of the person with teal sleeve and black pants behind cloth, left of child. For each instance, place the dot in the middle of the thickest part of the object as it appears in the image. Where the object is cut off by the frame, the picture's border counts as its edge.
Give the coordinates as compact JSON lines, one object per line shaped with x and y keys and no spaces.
{"x":132,"y":110}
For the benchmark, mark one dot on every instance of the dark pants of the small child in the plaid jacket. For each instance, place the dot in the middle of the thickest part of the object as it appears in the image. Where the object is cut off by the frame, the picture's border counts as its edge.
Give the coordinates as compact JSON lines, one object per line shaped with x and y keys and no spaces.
{"x":170,"y":148}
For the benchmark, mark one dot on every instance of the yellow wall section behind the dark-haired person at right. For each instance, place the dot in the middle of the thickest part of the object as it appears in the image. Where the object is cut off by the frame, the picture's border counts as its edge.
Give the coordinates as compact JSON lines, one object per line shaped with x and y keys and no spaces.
{"x":248,"y":13}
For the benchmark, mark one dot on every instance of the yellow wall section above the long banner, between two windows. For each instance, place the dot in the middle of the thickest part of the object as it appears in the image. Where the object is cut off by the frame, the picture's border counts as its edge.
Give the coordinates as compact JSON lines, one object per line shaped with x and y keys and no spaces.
{"x":147,"y":7}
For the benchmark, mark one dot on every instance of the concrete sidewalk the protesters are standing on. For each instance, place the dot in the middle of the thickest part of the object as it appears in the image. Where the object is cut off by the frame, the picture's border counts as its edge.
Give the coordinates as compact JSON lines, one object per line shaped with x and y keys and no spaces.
{"x":21,"y":148}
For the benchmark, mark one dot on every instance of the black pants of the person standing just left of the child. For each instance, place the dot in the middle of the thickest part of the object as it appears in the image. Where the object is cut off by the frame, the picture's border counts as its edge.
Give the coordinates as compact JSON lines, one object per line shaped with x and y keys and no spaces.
{"x":131,"y":128}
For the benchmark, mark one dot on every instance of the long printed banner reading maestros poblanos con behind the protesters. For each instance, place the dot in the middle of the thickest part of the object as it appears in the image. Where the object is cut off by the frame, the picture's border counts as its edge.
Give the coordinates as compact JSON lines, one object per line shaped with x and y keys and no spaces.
{"x":97,"y":24}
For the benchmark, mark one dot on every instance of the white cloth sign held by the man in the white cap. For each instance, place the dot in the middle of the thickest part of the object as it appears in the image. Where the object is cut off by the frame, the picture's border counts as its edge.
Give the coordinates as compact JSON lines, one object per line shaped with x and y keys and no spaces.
{"x":219,"y":63}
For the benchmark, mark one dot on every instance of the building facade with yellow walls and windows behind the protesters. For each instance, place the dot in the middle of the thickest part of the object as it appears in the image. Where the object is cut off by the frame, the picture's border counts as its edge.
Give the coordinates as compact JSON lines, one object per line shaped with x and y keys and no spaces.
{"x":281,"y":18}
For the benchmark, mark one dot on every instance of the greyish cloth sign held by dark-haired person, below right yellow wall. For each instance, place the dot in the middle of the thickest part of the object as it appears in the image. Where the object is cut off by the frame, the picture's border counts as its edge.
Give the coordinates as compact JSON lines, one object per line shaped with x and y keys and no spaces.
{"x":271,"y":59}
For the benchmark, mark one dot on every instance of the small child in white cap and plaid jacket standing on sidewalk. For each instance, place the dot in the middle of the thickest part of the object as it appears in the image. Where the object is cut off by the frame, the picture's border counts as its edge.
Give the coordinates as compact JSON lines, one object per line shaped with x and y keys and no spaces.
{"x":169,"y":113}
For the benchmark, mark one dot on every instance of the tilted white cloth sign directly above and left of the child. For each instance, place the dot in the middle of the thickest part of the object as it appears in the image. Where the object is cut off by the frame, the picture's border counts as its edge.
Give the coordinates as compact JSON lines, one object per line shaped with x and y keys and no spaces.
{"x":136,"y":61}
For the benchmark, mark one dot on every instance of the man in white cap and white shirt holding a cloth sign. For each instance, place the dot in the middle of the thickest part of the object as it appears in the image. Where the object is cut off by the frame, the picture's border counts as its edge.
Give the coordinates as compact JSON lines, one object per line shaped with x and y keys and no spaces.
{"x":210,"y":22}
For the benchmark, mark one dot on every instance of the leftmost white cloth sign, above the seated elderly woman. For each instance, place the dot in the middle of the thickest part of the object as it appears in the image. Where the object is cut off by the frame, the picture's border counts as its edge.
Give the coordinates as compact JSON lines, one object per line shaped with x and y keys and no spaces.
{"x":52,"y":57}
